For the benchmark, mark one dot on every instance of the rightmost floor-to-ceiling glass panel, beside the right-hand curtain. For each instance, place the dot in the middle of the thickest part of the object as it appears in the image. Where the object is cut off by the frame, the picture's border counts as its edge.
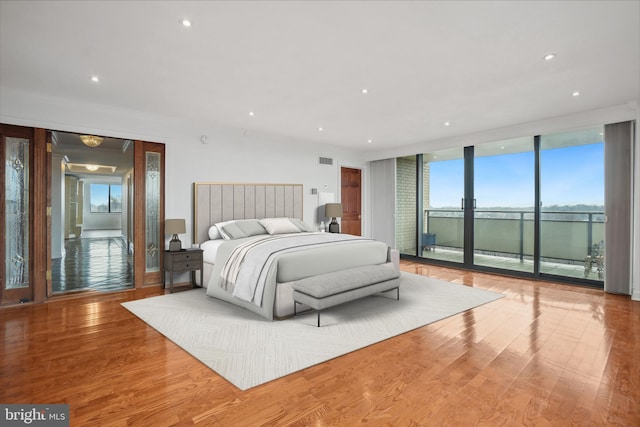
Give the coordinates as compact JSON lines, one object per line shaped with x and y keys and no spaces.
{"x":572,"y":204}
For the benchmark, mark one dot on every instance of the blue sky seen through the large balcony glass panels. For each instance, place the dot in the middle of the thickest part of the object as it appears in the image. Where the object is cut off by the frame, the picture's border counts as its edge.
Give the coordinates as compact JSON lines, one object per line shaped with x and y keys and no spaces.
{"x":568,"y":176}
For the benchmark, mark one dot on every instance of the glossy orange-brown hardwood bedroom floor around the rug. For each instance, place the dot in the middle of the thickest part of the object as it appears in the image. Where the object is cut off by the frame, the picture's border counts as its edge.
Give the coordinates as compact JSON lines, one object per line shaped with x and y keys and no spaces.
{"x":546,"y":354}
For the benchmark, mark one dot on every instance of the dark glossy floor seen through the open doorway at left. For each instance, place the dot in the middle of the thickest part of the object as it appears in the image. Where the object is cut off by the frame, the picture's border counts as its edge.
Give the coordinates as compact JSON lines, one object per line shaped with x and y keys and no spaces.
{"x":93,"y":263}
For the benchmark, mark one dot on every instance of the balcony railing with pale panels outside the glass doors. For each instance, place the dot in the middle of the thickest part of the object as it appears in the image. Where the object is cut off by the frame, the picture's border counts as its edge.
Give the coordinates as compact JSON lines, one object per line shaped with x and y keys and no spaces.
{"x":565,"y":236}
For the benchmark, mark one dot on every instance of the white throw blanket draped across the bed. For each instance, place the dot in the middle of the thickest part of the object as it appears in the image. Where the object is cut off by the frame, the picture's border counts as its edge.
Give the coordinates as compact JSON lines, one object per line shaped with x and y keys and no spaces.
{"x":246,"y":269}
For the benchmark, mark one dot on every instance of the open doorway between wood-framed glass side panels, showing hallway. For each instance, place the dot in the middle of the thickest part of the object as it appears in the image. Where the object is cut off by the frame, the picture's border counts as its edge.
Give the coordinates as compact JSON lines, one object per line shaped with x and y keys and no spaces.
{"x":91,"y":246}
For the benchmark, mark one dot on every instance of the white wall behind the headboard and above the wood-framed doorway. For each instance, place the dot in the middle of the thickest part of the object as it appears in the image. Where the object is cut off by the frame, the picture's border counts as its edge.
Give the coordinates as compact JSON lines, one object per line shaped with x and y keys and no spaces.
{"x":231,"y":155}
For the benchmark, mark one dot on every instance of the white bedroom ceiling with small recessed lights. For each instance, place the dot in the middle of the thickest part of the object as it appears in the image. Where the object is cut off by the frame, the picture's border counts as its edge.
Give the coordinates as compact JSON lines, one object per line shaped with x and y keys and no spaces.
{"x":301,"y":65}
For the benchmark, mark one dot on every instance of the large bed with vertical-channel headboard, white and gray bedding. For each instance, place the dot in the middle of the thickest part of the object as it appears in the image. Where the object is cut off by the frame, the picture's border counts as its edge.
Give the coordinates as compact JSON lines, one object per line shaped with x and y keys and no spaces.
{"x":256,"y":245}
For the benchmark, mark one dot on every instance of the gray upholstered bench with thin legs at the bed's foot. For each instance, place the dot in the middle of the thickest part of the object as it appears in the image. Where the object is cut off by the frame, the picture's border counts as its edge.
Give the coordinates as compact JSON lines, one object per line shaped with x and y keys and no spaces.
{"x":330,"y":289}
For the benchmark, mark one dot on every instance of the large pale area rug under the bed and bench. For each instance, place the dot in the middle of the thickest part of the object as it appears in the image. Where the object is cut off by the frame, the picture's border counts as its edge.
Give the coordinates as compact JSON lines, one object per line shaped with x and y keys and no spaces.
{"x":248,"y":350}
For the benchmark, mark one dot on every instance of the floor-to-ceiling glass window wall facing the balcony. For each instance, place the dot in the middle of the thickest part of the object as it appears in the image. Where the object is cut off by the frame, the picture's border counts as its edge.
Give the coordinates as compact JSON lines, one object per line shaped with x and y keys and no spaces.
{"x":530,"y":205}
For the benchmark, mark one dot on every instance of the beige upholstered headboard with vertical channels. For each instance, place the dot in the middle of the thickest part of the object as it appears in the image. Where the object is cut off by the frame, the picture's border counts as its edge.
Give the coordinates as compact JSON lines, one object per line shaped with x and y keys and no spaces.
{"x":216,"y":202}
